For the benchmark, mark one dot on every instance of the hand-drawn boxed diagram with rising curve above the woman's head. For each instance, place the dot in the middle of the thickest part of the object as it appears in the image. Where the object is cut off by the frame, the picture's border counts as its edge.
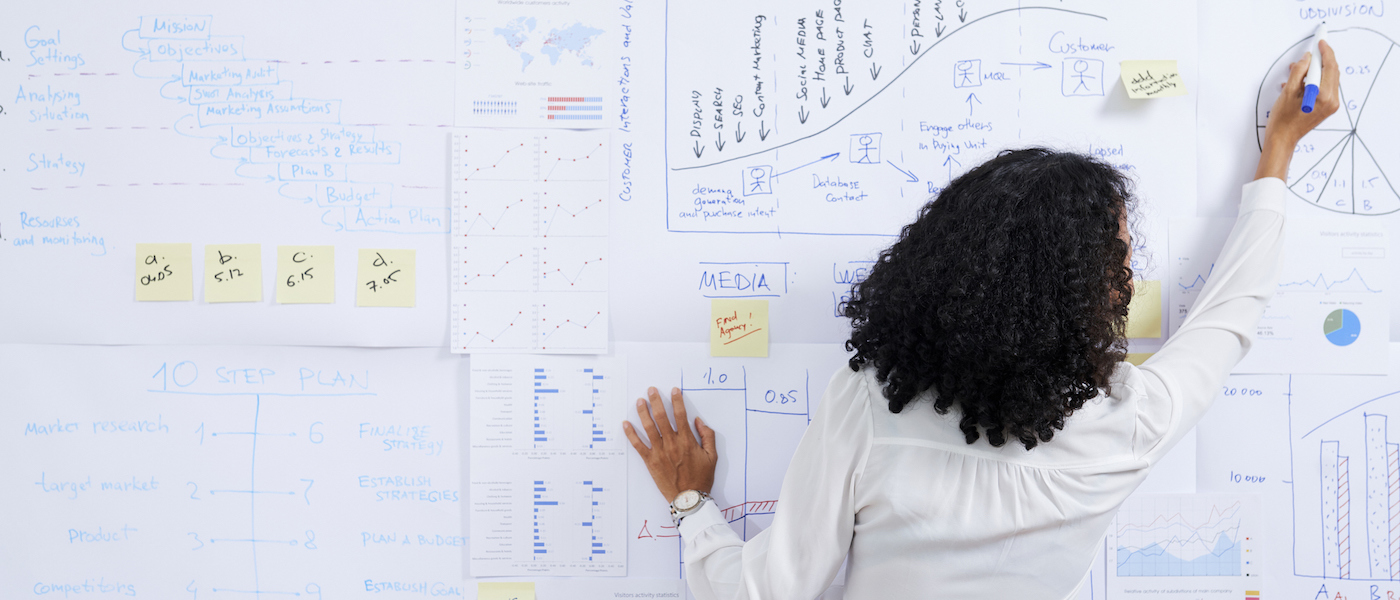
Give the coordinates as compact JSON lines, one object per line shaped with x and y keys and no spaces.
{"x":846,"y":121}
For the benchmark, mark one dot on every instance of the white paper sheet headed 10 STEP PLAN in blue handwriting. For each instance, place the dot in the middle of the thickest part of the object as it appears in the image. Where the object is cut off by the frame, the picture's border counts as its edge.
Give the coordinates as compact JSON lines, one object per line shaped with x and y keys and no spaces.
{"x":220,"y":472}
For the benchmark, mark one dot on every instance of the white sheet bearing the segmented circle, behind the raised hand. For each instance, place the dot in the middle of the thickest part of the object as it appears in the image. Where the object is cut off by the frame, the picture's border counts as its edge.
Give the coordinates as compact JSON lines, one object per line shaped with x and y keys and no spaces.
{"x":1350,"y":164}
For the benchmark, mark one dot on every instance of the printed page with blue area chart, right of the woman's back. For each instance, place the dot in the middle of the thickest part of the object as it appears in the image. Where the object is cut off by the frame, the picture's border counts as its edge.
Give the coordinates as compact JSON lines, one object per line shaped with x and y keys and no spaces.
{"x":1186,"y":546}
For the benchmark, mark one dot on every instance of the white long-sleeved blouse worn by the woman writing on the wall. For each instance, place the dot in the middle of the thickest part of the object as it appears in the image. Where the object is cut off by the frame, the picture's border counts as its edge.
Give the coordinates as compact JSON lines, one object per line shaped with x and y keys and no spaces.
{"x":923,"y":514}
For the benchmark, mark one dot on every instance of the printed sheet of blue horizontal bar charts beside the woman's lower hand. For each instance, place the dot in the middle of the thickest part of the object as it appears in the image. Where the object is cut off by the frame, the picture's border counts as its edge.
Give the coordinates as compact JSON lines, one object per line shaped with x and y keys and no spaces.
{"x":549,"y":466}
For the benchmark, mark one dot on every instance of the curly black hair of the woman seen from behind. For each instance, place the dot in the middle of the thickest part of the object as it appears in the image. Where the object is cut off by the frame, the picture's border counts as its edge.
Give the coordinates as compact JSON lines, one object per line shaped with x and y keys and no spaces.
{"x":1007,"y":297}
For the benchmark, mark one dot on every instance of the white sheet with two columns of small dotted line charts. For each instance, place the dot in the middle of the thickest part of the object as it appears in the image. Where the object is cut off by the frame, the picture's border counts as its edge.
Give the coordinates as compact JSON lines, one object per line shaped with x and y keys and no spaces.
{"x":530,"y":237}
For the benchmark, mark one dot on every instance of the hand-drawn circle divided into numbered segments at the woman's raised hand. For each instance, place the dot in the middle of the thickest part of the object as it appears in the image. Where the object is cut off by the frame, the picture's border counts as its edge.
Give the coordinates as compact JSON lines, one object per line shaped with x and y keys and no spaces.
{"x":1352,"y":163}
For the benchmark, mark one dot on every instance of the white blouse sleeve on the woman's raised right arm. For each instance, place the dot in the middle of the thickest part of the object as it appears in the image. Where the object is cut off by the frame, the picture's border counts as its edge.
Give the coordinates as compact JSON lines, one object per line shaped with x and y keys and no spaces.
{"x":1181,"y":381}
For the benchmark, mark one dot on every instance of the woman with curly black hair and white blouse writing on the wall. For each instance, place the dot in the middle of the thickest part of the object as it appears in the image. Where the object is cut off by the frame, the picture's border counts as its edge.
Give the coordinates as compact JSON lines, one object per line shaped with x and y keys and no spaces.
{"x":988,"y":431}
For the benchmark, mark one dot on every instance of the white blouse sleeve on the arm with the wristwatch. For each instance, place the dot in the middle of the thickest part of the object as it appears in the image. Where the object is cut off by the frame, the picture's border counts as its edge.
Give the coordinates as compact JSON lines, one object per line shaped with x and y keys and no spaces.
{"x":815,"y":515}
